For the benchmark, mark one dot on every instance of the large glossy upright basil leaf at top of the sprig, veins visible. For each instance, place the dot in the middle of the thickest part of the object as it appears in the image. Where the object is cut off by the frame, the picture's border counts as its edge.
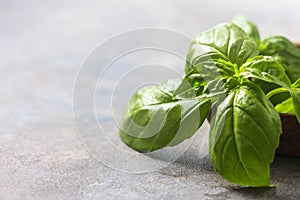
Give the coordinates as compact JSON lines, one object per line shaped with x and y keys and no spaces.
{"x":226,"y":43}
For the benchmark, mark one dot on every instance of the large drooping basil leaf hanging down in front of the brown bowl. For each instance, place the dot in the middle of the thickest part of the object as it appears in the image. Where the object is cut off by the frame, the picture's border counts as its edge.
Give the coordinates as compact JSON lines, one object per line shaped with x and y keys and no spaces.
{"x":244,"y":135}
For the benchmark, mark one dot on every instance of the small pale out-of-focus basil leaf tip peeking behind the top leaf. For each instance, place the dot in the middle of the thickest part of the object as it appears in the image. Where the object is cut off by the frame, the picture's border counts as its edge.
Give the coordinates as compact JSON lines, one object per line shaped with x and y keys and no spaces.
{"x":249,"y":27}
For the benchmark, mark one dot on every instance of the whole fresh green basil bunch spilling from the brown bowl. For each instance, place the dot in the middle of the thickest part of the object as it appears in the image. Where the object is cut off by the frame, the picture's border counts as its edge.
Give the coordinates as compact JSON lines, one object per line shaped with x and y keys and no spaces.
{"x":243,"y":82}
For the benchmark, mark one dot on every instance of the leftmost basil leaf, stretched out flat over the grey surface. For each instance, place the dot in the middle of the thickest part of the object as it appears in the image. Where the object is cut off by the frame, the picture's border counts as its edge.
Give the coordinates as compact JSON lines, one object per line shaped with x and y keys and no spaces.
{"x":163,"y":115}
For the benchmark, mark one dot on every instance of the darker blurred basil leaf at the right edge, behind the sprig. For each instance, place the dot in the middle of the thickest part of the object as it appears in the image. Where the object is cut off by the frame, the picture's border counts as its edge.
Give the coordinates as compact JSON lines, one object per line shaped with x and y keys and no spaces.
{"x":285,"y":52}
